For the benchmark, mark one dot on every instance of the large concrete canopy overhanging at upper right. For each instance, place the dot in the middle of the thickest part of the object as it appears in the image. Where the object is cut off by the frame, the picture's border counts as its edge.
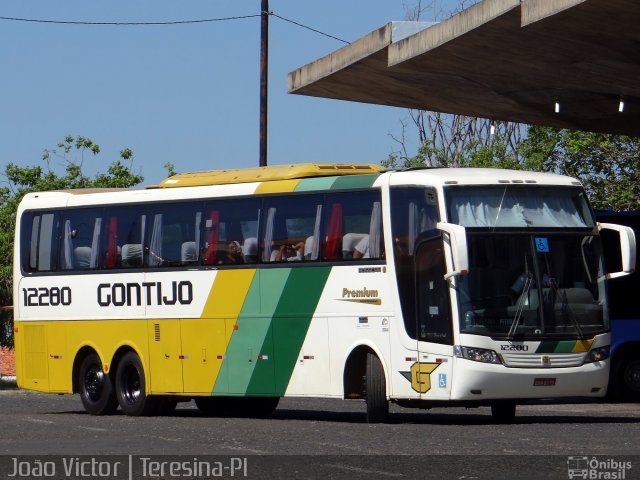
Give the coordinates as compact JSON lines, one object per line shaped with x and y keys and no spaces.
{"x":500,"y":59}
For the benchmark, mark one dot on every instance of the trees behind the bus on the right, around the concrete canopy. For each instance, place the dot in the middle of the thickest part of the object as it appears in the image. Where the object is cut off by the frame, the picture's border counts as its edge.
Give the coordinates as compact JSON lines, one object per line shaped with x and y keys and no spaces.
{"x":607,"y":165}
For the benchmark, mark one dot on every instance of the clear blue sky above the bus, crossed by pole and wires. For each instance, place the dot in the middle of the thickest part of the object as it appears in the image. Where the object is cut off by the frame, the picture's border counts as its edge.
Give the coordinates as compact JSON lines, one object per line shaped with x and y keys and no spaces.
{"x":185,"y":94}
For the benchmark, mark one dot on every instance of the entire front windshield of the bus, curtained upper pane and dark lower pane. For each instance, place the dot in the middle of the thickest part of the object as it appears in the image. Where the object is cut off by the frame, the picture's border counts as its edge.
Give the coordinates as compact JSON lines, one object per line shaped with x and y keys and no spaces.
{"x":535,"y":265}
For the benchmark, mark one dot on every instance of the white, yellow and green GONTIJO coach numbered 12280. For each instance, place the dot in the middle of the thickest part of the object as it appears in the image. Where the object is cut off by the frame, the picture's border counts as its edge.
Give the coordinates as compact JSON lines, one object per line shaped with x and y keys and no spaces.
{"x":235,"y":288}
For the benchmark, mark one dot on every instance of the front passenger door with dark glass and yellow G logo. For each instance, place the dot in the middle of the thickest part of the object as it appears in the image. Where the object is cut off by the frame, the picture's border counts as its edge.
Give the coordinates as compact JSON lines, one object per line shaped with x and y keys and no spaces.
{"x":431,"y":376}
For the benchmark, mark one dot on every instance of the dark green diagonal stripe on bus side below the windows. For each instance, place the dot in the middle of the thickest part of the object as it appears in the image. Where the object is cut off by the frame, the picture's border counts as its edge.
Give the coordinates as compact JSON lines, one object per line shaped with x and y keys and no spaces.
{"x":288,"y":329}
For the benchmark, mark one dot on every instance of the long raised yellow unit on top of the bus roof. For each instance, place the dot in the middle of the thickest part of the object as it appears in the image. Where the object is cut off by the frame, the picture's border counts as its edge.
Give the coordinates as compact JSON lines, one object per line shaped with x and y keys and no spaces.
{"x":266,"y":174}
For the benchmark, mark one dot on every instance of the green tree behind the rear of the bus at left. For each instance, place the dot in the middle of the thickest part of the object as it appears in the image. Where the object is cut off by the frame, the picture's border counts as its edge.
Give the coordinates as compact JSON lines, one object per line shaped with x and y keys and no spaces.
{"x":22,"y":180}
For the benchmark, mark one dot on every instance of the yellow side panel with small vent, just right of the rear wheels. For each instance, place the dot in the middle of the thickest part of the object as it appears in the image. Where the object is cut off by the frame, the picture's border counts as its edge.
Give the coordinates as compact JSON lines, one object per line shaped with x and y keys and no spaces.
{"x":165,"y":362}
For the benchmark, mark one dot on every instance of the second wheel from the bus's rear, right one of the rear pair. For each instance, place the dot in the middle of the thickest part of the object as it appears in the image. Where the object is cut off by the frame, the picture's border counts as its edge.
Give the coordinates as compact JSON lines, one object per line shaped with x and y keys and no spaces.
{"x":131,"y":387}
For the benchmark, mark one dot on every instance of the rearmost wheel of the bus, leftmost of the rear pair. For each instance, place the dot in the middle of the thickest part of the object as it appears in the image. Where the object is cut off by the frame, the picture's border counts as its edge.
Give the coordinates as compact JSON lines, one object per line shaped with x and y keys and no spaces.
{"x":96,"y":387}
